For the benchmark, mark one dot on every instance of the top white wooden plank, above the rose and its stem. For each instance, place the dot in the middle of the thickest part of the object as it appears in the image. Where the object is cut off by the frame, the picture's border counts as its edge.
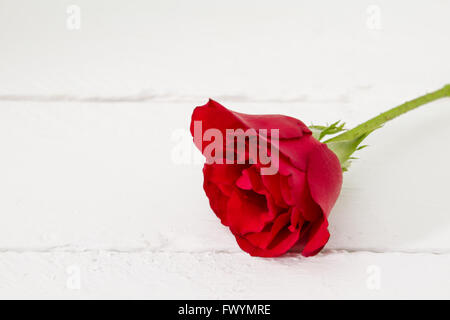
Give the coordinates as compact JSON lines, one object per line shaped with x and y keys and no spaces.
{"x":255,"y":49}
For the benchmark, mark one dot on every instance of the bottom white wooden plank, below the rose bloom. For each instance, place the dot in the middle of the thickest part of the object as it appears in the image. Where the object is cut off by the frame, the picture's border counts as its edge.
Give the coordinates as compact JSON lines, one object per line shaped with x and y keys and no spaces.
{"x":159,"y":275}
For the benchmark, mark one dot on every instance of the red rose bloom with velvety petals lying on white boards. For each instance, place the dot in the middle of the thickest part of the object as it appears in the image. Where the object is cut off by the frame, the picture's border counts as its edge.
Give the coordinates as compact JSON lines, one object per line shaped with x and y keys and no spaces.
{"x":268,"y":213}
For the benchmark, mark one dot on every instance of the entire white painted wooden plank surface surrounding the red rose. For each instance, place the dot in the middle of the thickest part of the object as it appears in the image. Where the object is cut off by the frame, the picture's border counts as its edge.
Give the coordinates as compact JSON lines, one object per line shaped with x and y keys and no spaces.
{"x":96,"y":204}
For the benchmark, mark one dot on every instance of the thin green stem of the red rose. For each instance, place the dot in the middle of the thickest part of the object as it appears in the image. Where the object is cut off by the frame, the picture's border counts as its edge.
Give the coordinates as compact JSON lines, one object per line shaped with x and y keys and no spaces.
{"x":379,"y":120}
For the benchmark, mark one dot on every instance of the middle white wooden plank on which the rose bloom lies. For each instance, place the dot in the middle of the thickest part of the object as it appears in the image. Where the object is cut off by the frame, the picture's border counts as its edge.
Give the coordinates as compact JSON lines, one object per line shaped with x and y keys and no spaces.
{"x":104,"y":176}
